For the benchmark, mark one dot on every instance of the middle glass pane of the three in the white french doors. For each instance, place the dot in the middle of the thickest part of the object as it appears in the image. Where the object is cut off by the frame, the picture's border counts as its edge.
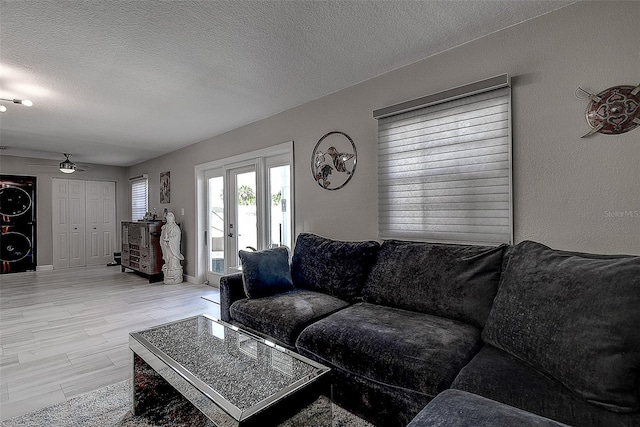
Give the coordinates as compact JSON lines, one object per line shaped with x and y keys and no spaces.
{"x":246,"y":224}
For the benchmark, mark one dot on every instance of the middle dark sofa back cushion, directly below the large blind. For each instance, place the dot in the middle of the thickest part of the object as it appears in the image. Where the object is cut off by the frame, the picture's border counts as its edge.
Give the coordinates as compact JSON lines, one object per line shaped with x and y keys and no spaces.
{"x":458,"y":282}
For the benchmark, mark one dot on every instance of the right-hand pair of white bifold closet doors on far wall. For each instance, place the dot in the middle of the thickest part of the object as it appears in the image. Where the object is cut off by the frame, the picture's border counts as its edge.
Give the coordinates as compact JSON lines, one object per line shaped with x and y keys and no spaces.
{"x":100,"y":222}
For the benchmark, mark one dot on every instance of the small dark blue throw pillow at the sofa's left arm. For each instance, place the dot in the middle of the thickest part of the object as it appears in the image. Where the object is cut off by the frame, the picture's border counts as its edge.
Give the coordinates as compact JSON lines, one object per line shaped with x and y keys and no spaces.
{"x":266,"y":272}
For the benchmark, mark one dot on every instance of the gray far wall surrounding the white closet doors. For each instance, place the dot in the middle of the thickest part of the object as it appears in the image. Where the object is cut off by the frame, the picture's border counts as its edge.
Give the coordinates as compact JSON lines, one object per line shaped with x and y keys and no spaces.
{"x":13,"y":165}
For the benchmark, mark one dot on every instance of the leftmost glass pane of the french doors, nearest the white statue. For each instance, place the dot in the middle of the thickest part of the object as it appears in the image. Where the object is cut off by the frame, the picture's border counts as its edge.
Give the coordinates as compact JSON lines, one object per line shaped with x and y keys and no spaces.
{"x":216,"y":224}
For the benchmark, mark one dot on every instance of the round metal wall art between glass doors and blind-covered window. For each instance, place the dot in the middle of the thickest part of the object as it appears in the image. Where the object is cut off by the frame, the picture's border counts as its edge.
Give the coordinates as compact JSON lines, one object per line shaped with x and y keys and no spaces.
{"x":333,"y":161}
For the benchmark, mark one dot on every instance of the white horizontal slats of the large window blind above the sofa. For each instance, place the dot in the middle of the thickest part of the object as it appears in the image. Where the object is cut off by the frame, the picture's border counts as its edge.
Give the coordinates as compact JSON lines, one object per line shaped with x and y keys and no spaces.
{"x":444,"y":171}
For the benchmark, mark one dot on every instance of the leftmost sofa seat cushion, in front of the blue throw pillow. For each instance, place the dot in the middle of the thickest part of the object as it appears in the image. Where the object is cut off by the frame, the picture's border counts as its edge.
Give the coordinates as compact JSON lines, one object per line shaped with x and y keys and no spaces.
{"x":285,"y":315}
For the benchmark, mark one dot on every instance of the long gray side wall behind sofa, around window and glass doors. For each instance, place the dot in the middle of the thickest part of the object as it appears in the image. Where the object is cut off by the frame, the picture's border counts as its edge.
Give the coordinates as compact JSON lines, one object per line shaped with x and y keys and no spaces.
{"x":568,"y":191}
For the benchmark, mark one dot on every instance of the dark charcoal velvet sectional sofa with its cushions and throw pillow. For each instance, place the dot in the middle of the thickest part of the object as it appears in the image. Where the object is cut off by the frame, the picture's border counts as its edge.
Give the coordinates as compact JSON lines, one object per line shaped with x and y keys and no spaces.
{"x":548,"y":333}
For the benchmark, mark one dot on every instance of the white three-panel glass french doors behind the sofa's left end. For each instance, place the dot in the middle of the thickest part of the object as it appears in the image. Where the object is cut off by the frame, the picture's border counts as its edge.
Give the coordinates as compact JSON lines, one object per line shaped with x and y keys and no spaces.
{"x":248,"y":207}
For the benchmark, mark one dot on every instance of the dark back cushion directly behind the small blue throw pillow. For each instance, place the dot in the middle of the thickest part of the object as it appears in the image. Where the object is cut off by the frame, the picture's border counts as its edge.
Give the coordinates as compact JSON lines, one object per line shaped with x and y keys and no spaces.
{"x":330,"y":266}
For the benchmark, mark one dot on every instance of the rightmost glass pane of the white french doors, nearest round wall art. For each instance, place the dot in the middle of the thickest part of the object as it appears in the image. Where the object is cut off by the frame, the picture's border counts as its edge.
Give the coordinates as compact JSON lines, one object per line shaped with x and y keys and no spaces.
{"x":279,"y":190}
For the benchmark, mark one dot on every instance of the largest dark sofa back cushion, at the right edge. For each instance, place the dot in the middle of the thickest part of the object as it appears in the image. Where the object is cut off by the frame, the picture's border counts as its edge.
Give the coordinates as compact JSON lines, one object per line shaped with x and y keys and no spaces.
{"x":575,"y":317}
